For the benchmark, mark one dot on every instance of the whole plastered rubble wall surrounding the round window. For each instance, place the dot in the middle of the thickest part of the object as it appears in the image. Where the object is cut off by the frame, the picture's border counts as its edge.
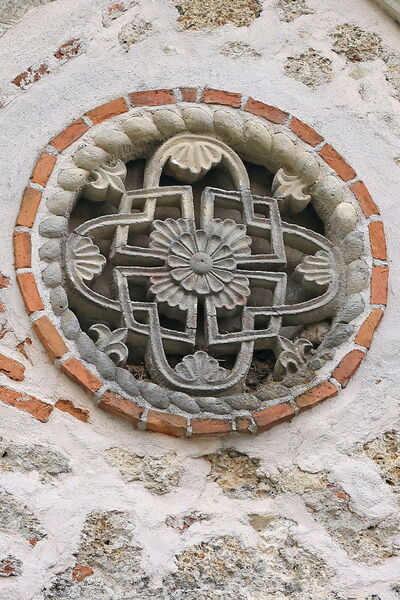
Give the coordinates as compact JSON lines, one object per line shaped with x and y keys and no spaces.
{"x":89,"y":507}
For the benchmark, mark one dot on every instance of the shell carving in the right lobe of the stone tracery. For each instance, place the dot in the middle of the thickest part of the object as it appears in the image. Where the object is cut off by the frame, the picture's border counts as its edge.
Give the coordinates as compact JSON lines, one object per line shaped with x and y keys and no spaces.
{"x":316,"y":272}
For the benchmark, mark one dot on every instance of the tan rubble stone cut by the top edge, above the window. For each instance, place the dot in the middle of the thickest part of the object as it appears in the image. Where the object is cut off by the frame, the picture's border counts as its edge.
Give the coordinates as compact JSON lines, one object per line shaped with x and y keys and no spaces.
{"x":209,"y":14}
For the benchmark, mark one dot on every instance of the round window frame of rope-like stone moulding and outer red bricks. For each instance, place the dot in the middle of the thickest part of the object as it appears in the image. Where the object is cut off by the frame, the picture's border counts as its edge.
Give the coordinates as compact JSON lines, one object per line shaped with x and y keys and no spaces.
{"x":305,"y":166}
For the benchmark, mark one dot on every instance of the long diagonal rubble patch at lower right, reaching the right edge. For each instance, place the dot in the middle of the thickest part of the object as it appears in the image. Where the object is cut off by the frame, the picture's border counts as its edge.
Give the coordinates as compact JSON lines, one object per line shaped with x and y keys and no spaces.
{"x":365,"y":540}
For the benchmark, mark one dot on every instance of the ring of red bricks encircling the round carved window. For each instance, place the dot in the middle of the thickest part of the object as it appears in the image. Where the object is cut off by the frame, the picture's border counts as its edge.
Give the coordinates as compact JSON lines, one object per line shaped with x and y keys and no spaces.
{"x":158,"y":421}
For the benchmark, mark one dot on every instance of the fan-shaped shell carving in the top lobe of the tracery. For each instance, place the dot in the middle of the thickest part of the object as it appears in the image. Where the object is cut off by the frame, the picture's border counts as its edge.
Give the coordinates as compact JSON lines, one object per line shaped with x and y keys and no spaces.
{"x":191,"y":160}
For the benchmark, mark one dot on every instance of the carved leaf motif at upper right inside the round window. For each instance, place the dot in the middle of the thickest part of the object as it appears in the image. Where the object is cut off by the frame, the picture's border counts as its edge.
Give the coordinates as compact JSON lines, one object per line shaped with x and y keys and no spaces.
{"x":291,"y":192}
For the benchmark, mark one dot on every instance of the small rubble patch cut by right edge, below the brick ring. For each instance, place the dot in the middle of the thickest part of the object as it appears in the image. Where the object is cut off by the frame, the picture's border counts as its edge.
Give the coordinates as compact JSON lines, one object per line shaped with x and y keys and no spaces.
{"x":385,"y":452}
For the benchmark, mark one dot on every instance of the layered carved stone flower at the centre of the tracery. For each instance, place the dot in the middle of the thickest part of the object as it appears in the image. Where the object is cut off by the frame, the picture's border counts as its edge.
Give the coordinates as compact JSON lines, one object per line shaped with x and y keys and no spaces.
{"x":200,"y":262}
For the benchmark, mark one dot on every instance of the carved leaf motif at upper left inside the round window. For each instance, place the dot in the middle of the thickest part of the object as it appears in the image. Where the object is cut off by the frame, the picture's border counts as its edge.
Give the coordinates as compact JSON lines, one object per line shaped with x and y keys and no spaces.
{"x":106,"y":182}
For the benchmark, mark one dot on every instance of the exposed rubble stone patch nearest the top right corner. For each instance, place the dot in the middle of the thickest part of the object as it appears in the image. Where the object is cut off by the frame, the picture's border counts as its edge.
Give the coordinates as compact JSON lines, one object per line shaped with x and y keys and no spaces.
{"x":356,"y":44}
